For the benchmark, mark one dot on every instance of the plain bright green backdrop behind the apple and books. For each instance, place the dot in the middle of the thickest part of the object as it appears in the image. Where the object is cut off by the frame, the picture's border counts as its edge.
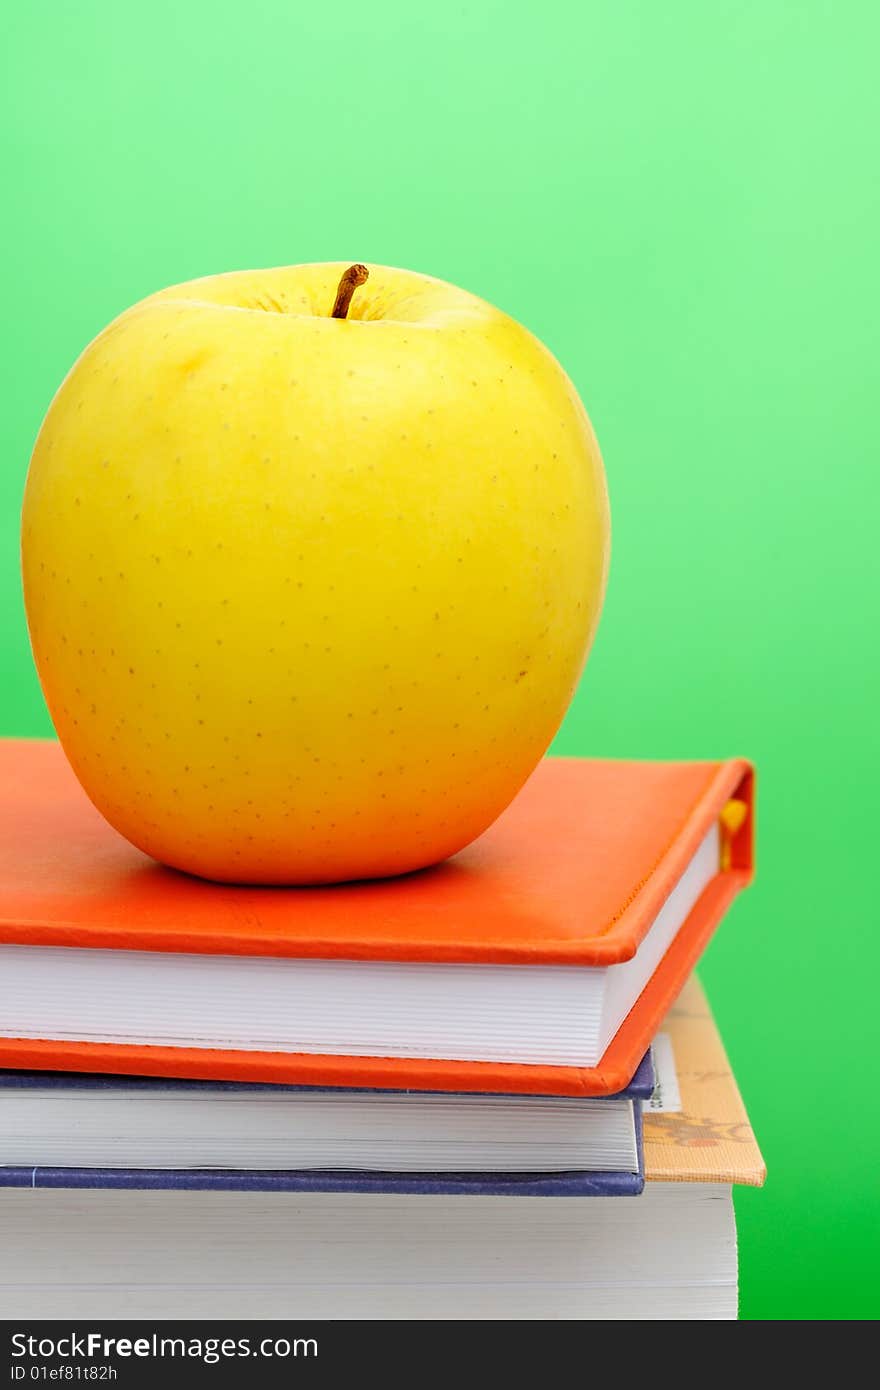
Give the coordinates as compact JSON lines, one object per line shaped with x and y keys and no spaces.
{"x":683,"y":202}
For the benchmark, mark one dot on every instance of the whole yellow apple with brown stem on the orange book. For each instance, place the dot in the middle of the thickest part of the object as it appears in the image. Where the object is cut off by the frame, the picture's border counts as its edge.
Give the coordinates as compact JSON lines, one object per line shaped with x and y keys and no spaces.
{"x":309,"y":596}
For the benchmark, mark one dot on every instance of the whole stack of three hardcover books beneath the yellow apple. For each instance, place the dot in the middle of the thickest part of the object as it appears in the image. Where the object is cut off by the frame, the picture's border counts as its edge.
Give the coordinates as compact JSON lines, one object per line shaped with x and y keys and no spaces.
{"x":457,"y":1095}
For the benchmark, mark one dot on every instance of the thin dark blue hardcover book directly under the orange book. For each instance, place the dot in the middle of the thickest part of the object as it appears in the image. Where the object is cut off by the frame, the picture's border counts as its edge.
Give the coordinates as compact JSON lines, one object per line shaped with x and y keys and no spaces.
{"x":120,"y":1132}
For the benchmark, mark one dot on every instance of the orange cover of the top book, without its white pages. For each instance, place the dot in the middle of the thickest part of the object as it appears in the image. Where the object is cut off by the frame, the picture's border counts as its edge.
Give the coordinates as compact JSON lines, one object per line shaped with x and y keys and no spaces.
{"x":573,"y":874}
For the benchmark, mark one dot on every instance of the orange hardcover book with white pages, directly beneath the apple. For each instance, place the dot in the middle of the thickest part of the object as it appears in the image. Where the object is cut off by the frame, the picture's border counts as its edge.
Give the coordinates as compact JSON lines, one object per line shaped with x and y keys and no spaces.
{"x":540,"y":960}
